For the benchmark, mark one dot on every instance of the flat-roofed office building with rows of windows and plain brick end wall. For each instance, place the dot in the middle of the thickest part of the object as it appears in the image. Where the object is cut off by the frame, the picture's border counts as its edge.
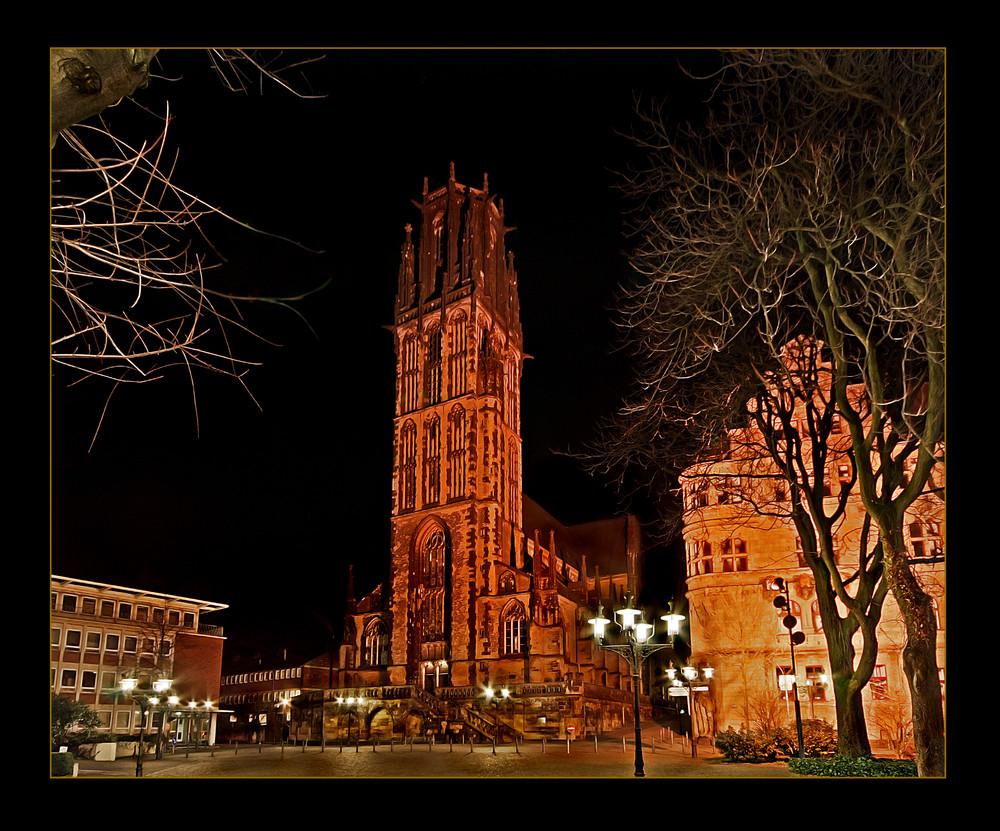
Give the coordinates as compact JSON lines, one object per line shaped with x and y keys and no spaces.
{"x":102,"y":633}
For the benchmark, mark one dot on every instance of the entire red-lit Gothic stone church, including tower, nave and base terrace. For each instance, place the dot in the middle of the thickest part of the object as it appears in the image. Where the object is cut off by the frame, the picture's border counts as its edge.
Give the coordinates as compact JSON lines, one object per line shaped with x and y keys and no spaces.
{"x":481,"y":626}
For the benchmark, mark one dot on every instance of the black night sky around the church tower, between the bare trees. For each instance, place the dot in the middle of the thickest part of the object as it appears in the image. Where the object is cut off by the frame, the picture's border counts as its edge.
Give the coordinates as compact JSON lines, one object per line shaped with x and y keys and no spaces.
{"x":264,"y":508}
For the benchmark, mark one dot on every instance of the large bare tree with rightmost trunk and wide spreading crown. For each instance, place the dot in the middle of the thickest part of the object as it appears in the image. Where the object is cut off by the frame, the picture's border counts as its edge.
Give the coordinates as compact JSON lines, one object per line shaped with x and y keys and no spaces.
{"x":809,"y":203}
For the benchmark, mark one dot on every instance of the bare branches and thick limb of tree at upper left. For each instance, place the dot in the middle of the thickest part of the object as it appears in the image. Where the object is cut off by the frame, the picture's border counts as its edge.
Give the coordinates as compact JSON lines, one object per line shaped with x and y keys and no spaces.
{"x":131,"y":290}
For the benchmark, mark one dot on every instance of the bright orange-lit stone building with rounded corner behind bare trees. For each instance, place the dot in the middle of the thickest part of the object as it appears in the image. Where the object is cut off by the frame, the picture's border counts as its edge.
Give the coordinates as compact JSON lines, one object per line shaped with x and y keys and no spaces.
{"x":739,"y":536}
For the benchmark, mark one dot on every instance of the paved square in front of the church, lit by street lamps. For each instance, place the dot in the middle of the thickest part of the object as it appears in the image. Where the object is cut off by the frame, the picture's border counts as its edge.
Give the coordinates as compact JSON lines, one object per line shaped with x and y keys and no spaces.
{"x":611,"y":757}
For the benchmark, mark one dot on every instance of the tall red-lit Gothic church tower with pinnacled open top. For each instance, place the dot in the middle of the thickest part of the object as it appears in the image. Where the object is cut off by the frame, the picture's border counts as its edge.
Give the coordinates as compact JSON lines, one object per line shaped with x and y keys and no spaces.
{"x":457,"y":498}
